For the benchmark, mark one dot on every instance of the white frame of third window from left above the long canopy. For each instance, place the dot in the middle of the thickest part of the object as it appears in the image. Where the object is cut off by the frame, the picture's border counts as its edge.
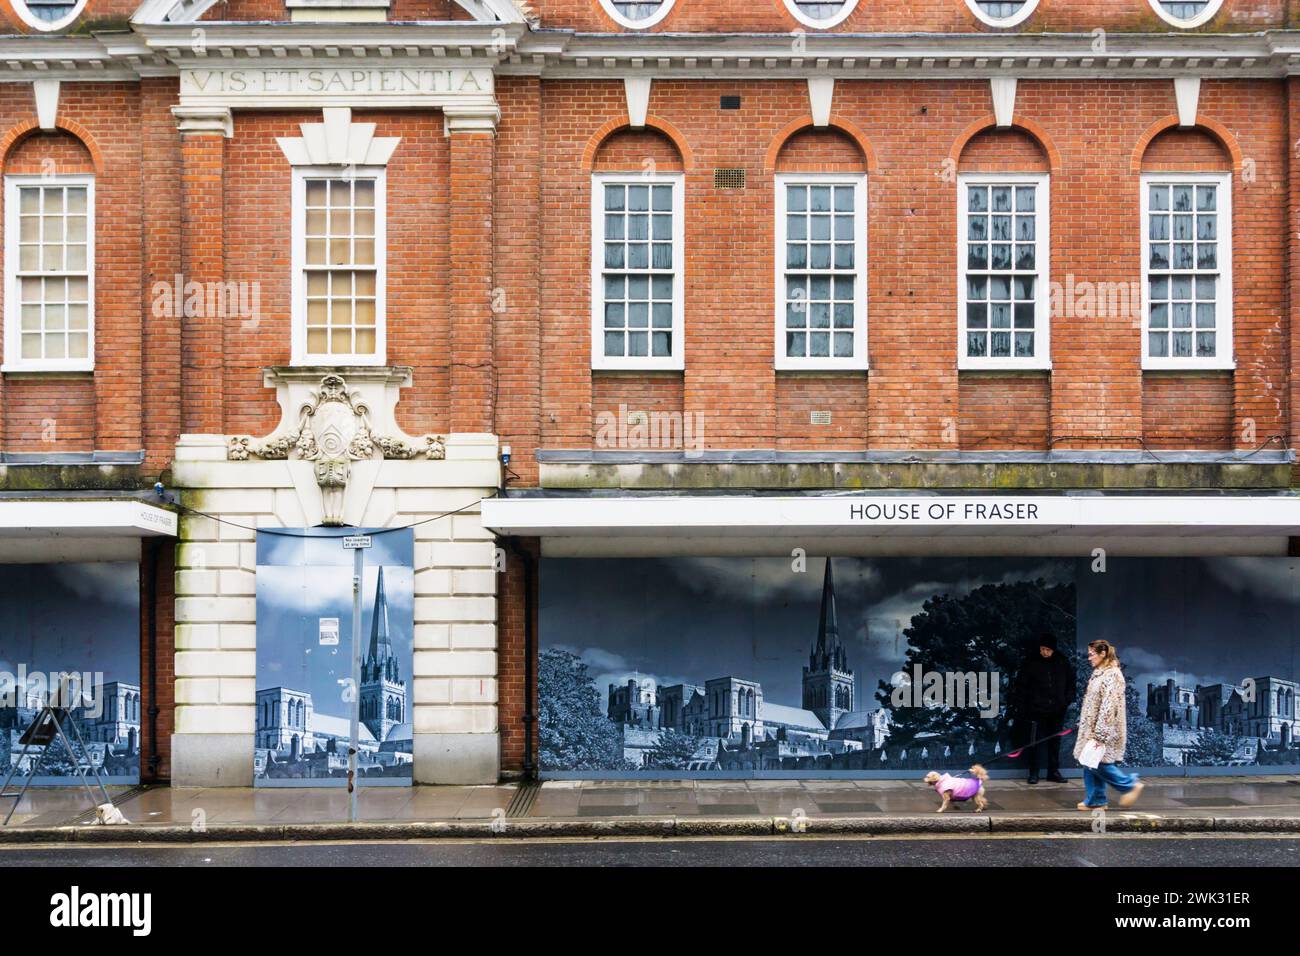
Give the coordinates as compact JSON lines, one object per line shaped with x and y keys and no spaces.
{"x":1042,"y":358}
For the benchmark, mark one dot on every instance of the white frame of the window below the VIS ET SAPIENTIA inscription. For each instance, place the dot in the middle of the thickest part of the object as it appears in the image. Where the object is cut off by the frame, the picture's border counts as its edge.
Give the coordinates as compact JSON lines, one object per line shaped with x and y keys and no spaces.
{"x":298,"y":285}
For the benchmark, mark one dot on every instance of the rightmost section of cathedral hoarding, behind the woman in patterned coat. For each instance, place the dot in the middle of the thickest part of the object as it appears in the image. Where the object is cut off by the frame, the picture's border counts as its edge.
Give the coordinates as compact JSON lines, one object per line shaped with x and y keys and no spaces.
{"x":1210,"y":651}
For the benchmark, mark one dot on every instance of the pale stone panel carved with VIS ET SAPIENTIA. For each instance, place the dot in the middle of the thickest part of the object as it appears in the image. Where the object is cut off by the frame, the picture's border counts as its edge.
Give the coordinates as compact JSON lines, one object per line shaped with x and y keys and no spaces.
{"x":336,"y":86}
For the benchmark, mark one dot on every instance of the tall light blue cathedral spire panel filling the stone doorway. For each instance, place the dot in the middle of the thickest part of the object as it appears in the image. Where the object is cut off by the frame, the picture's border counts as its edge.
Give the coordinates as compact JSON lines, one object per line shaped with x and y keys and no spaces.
{"x":306,"y":694}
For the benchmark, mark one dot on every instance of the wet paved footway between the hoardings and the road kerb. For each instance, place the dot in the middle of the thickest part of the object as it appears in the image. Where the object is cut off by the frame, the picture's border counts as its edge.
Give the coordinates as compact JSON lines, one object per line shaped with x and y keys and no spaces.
{"x":1217,"y":797}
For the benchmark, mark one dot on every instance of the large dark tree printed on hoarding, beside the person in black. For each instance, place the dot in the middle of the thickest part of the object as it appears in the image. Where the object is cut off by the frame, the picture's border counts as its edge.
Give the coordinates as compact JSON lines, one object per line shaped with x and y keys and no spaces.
{"x":989,"y":629}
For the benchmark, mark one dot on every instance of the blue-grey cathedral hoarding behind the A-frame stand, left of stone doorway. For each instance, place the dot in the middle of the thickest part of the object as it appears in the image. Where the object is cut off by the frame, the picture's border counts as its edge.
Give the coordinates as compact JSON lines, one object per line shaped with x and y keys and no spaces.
{"x":71,"y":638}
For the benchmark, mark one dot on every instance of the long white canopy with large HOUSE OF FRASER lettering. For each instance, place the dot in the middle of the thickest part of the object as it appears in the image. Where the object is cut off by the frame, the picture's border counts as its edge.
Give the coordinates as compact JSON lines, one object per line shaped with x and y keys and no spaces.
{"x":622,"y":525}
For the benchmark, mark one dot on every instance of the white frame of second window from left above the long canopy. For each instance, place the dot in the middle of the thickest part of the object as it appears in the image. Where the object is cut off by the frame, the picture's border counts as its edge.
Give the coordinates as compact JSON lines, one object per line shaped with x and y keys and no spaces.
{"x":860,"y":269}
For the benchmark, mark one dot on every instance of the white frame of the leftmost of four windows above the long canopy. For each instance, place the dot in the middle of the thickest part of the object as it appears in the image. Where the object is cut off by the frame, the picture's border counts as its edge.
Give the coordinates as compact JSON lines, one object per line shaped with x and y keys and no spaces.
{"x":677,"y":361}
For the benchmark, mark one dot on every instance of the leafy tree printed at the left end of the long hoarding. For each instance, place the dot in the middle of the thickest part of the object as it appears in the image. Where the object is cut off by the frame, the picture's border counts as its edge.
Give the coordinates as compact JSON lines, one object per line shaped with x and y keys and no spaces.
{"x":573,"y":732}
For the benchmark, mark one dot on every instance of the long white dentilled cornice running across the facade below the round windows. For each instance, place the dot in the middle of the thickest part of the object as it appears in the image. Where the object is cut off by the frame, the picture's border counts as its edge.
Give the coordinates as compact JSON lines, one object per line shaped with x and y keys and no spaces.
{"x":514,"y":49}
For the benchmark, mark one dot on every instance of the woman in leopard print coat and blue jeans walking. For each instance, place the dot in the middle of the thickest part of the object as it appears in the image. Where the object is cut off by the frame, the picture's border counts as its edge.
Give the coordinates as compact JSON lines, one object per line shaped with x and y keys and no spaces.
{"x":1103,"y":717}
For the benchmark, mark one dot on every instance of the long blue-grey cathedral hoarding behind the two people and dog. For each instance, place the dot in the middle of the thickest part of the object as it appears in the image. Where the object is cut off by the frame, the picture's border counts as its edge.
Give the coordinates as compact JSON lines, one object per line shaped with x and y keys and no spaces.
{"x":748,"y":668}
